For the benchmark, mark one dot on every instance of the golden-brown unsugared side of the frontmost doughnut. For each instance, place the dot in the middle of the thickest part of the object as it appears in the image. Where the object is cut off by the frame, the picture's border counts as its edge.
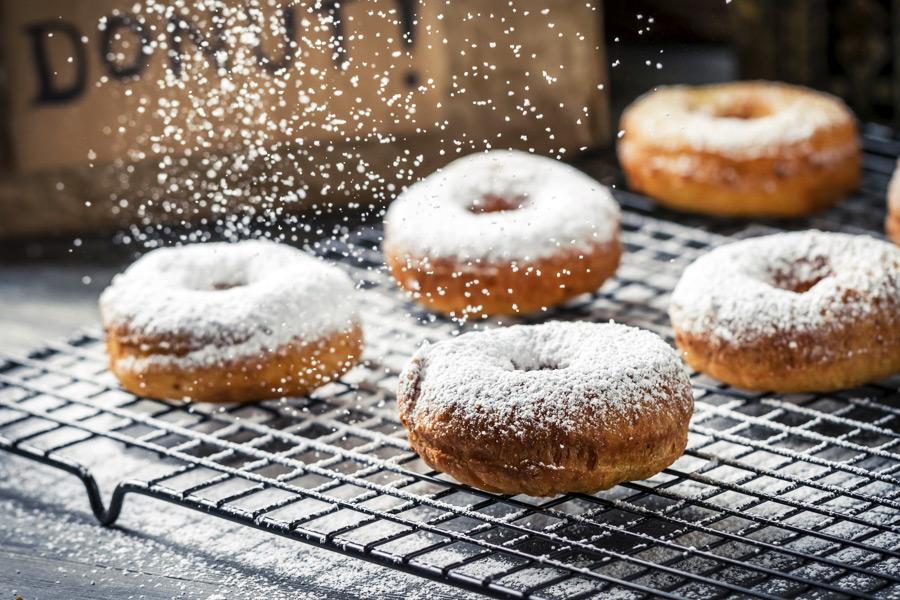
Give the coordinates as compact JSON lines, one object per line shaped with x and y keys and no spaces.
{"x":545,"y":461}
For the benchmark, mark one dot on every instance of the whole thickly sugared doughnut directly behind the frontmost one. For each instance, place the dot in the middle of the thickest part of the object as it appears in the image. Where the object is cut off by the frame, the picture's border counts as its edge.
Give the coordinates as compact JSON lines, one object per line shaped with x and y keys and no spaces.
{"x":502,"y":232}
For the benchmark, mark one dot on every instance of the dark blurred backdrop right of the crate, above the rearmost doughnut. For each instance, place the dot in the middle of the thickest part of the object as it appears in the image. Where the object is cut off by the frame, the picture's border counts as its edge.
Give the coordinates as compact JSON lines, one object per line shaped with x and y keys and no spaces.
{"x":845,"y":47}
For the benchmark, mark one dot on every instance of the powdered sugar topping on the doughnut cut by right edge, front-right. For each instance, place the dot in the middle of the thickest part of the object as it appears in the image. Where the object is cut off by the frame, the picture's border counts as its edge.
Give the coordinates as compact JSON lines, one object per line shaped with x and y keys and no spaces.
{"x":754,"y":289}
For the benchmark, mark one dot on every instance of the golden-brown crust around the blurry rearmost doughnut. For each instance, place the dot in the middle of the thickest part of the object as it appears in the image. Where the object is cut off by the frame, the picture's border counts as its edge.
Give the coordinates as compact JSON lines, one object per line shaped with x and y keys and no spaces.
{"x":800,"y":178}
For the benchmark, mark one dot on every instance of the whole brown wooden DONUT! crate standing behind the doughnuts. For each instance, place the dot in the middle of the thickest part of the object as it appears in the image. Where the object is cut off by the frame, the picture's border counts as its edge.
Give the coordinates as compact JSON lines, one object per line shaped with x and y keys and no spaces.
{"x":124,"y":111}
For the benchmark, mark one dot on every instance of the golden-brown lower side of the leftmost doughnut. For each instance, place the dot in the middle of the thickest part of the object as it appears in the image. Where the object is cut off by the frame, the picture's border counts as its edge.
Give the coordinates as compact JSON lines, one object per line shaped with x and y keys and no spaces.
{"x":293,"y":370}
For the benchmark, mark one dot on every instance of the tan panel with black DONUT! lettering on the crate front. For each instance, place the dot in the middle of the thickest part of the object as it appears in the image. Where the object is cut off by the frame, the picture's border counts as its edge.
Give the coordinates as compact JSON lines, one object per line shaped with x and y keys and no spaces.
{"x":106,"y":78}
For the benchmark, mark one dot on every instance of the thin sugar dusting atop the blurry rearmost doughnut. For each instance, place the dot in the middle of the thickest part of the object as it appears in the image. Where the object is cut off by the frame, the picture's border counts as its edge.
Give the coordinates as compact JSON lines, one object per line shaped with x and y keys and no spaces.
{"x":678,"y":116}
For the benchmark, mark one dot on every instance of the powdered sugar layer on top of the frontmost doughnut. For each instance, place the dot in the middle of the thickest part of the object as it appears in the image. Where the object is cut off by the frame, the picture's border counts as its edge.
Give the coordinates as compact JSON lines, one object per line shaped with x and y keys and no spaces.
{"x":558,"y":376}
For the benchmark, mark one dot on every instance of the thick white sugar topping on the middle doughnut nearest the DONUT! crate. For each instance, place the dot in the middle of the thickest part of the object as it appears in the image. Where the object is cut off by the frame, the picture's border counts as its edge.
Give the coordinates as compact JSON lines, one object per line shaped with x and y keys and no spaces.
{"x":560,"y":208}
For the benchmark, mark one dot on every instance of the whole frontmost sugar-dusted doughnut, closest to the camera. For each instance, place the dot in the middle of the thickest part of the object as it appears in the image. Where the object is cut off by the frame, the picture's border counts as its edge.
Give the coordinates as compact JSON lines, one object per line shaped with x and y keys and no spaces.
{"x":547,"y":409}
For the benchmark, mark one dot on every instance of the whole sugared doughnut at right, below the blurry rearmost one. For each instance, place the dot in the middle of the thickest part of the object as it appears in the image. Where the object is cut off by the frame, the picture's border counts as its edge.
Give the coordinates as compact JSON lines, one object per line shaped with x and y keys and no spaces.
{"x":792,"y":312}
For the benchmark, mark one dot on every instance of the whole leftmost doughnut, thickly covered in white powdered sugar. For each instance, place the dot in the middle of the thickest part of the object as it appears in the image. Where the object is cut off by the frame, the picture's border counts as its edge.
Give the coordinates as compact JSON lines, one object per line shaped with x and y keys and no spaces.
{"x":229,"y":322}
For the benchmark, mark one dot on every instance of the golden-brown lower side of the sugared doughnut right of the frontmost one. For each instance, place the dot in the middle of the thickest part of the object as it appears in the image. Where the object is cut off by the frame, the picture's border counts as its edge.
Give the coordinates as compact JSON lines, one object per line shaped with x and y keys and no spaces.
{"x":867,"y":350}
